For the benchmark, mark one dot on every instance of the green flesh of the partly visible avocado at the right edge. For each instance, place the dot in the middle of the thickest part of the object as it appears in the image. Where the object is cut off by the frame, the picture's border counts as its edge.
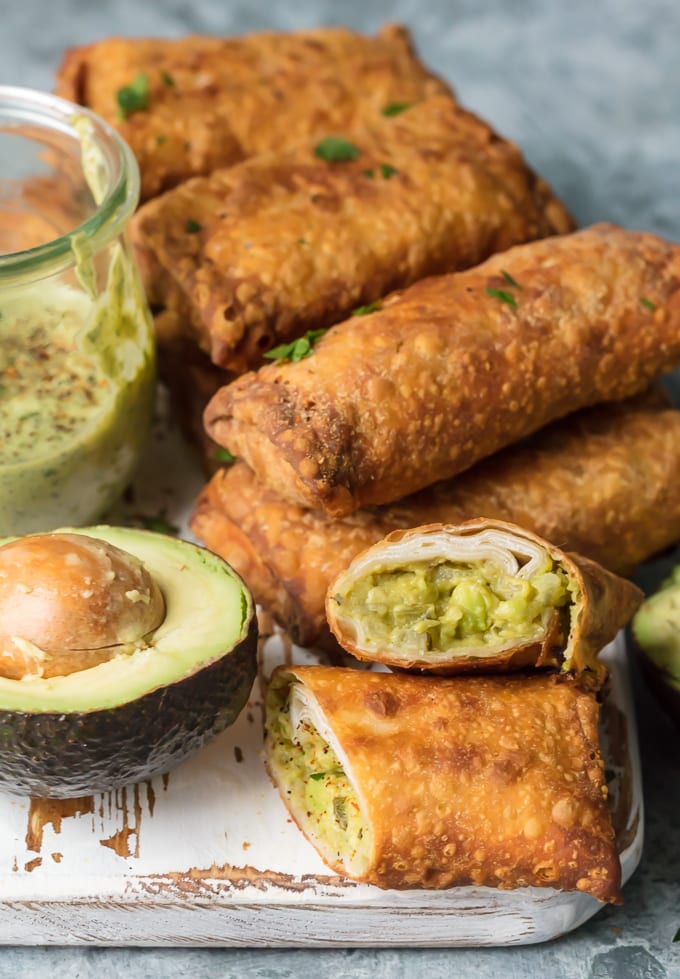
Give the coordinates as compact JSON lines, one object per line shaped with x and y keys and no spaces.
{"x":656,"y":627}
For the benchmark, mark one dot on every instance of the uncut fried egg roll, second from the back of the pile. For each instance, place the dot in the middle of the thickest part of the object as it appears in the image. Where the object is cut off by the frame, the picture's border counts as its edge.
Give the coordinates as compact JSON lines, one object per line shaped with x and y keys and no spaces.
{"x":289,"y":242}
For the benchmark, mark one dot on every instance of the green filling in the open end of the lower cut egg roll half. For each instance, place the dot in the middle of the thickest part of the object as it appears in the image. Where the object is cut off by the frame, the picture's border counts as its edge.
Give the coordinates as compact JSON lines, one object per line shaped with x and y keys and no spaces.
{"x":315,"y":785}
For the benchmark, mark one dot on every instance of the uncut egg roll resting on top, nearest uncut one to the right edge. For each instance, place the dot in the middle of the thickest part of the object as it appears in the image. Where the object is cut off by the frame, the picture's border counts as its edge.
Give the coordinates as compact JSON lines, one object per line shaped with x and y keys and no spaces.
{"x":456,"y":367}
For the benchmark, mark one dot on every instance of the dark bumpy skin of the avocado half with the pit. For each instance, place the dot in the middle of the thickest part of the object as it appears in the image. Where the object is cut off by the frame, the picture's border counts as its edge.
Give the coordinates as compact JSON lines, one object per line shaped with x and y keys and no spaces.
{"x":63,"y":756}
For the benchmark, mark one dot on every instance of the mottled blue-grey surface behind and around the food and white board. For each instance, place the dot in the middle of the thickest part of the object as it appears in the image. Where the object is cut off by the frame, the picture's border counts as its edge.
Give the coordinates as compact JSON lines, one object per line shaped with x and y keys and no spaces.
{"x":591,"y":91}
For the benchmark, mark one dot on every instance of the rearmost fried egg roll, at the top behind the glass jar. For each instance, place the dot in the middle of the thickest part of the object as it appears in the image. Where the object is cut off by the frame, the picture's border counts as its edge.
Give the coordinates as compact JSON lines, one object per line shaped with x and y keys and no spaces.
{"x":213,"y":101}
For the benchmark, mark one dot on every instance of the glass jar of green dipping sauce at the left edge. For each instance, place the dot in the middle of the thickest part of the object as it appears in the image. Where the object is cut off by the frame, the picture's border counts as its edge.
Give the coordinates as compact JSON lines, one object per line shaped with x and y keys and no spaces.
{"x":77,"y":351}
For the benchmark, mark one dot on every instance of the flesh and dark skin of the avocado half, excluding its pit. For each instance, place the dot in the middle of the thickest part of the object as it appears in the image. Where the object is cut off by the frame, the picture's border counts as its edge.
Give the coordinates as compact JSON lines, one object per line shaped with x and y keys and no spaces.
{"x":137,"y":715}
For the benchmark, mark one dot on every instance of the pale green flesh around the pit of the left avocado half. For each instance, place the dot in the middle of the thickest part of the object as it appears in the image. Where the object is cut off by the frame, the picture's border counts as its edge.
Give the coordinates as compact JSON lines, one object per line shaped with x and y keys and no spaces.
{"x":207,"y":611}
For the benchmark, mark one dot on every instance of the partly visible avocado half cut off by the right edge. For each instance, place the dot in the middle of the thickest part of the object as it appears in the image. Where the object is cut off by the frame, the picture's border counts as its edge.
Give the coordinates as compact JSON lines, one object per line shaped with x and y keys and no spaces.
{"x":656,"y":627}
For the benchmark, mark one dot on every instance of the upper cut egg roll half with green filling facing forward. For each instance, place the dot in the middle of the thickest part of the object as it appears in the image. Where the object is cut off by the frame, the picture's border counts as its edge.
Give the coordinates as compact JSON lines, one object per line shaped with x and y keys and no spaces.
{"x":482,"y":595}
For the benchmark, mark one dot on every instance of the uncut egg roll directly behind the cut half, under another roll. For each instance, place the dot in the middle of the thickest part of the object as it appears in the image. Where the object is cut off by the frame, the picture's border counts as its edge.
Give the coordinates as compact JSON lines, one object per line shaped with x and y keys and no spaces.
{"x":604,"y":482}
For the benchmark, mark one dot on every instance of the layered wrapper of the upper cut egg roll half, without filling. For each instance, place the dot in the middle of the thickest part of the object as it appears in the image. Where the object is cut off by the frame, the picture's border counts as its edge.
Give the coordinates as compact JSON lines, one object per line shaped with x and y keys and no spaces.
{"x":600,"y":603}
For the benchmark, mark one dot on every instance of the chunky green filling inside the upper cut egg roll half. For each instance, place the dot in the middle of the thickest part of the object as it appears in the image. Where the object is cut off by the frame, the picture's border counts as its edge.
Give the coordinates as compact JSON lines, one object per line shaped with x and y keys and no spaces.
{"x":440,"y":607}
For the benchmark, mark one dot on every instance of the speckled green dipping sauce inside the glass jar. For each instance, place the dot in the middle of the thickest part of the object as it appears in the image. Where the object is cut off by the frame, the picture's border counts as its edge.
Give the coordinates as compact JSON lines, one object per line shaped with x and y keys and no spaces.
{"x":77,"y":380}
